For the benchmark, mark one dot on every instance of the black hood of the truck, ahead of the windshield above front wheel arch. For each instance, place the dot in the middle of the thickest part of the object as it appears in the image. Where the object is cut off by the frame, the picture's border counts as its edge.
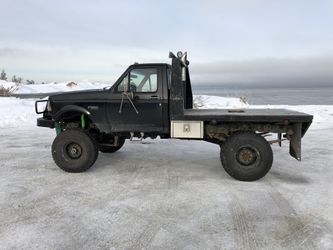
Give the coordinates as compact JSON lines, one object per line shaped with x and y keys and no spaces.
{"x":80,"y":95}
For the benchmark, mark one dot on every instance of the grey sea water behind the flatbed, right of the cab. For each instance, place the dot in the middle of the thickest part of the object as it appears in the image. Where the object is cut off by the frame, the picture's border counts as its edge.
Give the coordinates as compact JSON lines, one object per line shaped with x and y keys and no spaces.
{"x":273,"y":96}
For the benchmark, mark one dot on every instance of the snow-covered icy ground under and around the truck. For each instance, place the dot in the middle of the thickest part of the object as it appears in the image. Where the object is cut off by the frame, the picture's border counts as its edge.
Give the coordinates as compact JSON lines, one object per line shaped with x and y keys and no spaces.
{"x":164,"y":194}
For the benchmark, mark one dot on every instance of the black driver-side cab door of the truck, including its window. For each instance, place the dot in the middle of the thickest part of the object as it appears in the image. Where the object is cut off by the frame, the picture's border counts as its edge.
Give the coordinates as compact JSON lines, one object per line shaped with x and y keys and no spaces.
{"x":136,"y":102}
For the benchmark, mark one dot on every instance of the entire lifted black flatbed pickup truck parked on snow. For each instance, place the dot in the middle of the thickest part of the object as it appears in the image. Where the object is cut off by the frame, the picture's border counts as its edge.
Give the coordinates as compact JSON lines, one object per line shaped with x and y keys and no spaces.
{"x":151,"y":100}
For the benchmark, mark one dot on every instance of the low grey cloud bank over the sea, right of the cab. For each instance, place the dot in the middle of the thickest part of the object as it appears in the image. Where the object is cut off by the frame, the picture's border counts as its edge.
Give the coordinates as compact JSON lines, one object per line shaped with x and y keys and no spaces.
{"x":306,"y":71}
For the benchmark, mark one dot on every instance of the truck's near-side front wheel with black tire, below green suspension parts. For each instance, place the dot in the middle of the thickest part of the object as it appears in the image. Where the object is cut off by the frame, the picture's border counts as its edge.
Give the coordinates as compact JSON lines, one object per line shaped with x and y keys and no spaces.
{"x":74,"y":151}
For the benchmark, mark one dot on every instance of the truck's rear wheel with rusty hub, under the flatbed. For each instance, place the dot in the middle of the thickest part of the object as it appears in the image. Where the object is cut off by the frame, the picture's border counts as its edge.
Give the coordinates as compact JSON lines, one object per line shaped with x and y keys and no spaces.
{"x":246,"y":156}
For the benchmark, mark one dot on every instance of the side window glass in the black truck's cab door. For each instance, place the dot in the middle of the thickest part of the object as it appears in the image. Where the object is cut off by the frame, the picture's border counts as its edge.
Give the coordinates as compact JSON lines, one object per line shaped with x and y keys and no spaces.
{"x":143,"y":80}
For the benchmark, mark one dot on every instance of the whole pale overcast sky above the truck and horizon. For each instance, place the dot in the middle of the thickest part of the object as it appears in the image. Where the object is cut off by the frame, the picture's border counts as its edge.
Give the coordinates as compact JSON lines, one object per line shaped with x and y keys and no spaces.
{"x":240,"y":41}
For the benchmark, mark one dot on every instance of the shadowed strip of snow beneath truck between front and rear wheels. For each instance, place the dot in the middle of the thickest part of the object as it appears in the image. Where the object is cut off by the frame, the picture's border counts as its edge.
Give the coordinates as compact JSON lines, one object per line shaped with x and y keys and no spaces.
{"x":206,"y":165}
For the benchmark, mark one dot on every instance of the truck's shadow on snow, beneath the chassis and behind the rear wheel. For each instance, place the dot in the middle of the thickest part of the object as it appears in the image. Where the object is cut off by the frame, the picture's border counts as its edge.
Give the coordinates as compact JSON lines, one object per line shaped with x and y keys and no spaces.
{"x":206,"y":167}
